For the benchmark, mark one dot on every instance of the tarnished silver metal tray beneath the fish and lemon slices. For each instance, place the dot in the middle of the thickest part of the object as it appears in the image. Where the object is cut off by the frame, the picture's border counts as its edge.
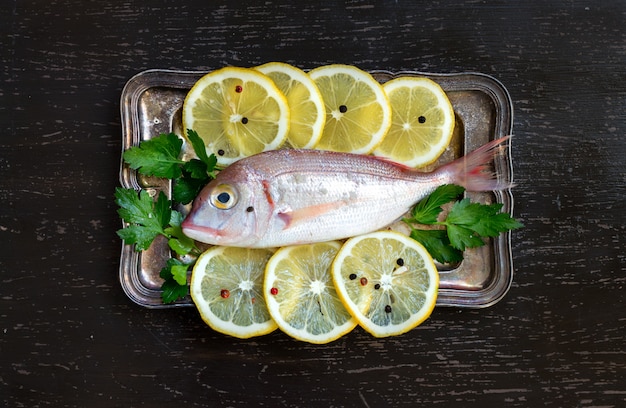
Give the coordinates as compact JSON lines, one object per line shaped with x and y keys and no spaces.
{"x":151,"y":104}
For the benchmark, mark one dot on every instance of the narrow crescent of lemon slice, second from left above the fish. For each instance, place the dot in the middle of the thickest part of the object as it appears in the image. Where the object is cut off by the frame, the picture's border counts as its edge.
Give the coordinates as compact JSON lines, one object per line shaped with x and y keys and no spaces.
{"x":305,"y":103}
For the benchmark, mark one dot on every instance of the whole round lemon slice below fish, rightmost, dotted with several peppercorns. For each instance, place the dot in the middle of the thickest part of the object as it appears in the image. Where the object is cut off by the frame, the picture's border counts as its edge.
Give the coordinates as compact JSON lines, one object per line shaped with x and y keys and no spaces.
{"x":387,"y":281}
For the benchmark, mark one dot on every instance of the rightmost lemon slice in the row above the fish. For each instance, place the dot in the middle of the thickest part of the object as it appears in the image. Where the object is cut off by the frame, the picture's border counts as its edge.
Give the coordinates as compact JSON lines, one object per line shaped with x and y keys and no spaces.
{"x":422,"y":122}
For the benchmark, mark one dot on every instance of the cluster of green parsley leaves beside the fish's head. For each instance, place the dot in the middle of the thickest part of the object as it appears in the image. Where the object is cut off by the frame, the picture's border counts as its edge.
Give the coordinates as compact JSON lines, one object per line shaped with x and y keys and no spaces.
{"x":148,"y":217}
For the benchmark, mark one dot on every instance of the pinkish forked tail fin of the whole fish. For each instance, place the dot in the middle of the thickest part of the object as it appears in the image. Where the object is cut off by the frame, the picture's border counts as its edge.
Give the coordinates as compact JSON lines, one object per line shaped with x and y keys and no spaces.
{"x":473,"y":172}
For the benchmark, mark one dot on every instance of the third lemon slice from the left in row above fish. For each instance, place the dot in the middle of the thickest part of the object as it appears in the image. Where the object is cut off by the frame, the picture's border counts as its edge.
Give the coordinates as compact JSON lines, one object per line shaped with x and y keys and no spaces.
{"x":358,"y":112}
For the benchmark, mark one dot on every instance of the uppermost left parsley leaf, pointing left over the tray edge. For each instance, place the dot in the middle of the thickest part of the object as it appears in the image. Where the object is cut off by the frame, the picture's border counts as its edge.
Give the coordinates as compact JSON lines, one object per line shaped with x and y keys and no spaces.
{"x":157,"y":157}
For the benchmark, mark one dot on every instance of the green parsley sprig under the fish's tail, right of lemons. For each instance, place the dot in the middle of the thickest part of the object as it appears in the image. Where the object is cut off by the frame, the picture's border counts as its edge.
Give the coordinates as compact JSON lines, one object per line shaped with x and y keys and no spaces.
{"x":466,"y":225}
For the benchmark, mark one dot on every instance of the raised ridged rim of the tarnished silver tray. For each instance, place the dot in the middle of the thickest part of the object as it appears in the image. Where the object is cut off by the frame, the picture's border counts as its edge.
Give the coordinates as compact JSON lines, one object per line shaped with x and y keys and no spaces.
{"x":497,"y":288}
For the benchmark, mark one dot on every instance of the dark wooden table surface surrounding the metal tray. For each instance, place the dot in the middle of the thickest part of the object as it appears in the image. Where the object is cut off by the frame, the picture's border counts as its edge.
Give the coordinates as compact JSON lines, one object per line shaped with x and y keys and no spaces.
{"x":70,"y":337}
